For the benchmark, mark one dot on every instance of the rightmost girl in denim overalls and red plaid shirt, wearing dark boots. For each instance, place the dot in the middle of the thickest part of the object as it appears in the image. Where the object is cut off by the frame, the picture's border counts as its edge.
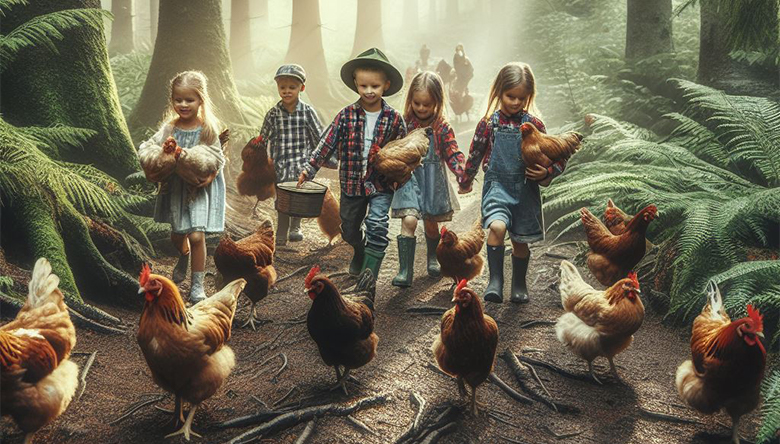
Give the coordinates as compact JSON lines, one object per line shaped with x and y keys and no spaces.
{"x":510,"y":196}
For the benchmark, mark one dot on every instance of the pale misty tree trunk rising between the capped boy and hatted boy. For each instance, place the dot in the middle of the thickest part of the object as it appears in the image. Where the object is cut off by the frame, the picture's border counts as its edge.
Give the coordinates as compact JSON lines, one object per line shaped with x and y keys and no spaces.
{"x":306,"y":49}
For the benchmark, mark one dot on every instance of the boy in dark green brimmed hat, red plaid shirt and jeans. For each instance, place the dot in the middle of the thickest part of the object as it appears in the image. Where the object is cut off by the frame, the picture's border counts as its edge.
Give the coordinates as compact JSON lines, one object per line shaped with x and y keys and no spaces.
{"x":367,"y":124}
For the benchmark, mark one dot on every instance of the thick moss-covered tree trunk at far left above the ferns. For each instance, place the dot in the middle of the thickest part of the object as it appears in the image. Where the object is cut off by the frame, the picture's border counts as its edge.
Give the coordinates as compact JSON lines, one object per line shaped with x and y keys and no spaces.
{"x":72,"y":87}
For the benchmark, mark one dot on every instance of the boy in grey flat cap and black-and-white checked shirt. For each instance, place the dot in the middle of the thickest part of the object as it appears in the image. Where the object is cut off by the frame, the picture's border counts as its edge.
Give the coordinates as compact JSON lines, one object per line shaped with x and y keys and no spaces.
{"x":293,"y":129}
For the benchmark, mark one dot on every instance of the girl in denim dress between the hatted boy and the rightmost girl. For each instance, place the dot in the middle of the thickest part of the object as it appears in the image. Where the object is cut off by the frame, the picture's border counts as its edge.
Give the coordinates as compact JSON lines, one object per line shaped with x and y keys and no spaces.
{"x":423,"y":196}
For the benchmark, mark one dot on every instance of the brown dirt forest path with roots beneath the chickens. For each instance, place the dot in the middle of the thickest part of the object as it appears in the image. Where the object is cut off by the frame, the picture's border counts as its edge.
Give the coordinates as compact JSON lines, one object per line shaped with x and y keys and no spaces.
{"x":616,"y":412}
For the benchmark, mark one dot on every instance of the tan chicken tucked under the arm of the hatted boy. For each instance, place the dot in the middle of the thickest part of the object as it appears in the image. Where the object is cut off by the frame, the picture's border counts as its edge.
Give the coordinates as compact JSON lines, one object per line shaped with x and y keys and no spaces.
{"x":398,"y":159}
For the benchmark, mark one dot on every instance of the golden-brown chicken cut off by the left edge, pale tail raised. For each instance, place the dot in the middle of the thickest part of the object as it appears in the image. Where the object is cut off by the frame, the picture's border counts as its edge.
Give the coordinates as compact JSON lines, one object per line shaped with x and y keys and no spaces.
{"x":38,"y":380}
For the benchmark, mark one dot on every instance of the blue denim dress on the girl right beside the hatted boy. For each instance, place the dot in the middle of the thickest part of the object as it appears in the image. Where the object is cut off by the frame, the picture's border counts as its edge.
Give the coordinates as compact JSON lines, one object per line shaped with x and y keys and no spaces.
{"x":427,"y":191}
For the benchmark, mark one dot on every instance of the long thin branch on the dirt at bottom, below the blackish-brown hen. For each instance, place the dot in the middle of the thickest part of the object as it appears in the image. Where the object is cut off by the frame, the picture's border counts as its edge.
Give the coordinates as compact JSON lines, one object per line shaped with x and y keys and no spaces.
{"x":293,"y":418}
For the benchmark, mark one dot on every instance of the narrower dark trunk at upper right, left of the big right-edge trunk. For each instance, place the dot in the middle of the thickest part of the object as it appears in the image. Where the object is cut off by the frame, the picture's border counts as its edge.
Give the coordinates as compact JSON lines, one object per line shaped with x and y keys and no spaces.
{"x":648,"y":28}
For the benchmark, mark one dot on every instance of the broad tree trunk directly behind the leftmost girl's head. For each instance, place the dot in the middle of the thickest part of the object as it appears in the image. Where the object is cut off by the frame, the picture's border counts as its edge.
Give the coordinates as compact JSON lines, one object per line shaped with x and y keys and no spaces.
{"x":202,"y":47}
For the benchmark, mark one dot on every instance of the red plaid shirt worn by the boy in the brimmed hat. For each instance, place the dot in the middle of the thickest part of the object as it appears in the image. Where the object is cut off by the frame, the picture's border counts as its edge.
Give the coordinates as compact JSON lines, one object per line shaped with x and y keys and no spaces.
{"x":345,"y":137}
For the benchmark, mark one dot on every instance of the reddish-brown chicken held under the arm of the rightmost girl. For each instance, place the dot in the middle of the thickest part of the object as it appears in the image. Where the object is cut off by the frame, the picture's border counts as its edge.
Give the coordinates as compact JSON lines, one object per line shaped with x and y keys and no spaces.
{"x":544,"y":149}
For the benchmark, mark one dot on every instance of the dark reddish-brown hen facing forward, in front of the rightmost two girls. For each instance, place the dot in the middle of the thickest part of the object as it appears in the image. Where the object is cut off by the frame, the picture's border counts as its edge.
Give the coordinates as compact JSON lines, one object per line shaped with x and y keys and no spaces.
{"x":466,"y":347}
